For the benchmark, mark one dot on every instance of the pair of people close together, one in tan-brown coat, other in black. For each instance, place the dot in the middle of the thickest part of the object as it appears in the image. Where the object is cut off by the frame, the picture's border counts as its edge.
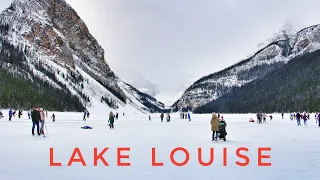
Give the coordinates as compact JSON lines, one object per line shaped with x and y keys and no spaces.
{"x":218,"y":127}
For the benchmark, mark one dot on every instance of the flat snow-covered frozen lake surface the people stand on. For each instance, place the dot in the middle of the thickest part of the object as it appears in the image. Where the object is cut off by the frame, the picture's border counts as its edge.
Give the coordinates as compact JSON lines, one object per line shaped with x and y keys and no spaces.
{"x":295,"y":150}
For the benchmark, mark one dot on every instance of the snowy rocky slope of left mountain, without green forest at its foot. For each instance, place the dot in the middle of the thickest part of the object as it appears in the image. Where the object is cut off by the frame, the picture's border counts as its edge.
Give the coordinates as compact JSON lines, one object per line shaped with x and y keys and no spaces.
{"x":59,"y":49}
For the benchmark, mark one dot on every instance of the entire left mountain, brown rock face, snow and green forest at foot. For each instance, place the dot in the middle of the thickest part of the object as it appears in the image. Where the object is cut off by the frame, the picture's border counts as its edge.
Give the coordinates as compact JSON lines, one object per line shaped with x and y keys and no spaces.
{"x":47,"y":48}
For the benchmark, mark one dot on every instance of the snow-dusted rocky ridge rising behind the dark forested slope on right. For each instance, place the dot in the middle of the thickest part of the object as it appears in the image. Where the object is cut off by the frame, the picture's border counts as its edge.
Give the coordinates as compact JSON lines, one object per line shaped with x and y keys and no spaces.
{"x":267,"y":60}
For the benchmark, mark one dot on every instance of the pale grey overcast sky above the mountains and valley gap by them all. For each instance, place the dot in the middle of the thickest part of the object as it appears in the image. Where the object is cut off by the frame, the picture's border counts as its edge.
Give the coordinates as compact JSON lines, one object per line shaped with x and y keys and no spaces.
{"x":174,"y":41}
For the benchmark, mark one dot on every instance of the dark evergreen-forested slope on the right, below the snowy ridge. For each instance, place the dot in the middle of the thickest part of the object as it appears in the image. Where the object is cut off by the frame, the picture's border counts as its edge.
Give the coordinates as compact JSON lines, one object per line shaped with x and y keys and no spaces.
{"x":293,"y":87}
